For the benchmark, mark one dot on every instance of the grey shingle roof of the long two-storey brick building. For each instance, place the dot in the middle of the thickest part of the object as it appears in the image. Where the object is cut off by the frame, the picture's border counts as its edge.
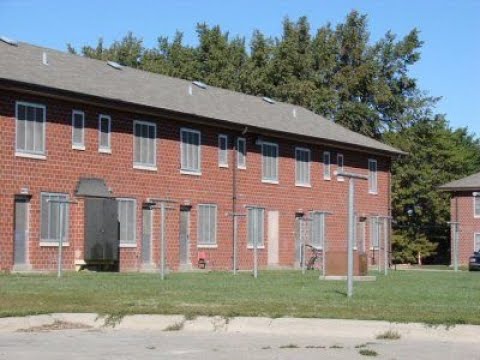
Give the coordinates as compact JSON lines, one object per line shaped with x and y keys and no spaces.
{"x":23,"y":63}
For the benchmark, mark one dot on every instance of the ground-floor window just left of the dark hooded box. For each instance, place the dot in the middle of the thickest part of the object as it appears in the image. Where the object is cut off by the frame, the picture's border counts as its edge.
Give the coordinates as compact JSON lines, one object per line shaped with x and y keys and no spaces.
{"x":50,"y":217}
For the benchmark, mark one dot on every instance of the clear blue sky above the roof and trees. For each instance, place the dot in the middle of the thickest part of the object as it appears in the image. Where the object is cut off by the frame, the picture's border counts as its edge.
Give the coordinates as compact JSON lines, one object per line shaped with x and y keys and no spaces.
{"x":449,"y":66}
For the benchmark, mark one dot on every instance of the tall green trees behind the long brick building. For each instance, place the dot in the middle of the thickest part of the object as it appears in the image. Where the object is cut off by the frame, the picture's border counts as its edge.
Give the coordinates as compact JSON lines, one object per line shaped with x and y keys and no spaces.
{"x":339,"y":73}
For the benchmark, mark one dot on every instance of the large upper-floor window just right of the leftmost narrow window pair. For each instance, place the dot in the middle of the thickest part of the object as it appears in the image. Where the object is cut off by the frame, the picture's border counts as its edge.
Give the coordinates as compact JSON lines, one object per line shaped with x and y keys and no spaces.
{"x":145,"y":145}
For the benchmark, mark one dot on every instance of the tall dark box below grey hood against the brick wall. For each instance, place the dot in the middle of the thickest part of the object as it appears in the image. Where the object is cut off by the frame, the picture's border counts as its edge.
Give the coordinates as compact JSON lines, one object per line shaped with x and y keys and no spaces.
{"x":101,"y":231}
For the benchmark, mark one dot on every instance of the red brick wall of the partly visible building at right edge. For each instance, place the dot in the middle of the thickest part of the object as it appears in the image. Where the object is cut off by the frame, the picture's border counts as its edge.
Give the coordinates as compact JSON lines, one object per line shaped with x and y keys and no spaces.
{"x":469,"y":225}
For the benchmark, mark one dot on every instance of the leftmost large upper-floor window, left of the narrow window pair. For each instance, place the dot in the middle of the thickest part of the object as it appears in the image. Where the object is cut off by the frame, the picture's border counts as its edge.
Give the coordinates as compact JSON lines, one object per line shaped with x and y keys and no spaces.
{"x":30,"y":129}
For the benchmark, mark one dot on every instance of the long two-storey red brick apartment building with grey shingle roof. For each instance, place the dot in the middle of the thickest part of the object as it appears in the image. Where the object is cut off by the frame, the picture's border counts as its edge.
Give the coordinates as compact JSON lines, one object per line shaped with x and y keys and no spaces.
{"x":96,"y":133}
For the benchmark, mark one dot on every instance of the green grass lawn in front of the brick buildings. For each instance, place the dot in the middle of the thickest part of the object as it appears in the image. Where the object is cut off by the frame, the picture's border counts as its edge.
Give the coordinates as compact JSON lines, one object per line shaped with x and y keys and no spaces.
{"x":403,"y":296}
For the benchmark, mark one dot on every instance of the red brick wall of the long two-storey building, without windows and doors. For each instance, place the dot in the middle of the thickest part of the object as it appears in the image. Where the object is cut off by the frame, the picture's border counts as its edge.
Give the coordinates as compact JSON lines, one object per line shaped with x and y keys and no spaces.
{"x":64,"y":166}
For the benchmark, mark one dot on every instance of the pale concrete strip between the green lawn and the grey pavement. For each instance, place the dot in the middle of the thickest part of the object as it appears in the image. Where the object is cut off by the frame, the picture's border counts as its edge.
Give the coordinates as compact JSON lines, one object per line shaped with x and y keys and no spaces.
{"x":244,"y":325}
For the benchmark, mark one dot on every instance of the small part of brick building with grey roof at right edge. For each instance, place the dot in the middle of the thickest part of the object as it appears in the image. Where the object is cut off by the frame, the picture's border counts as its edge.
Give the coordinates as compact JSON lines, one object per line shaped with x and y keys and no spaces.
{"x":465,"y":211}
